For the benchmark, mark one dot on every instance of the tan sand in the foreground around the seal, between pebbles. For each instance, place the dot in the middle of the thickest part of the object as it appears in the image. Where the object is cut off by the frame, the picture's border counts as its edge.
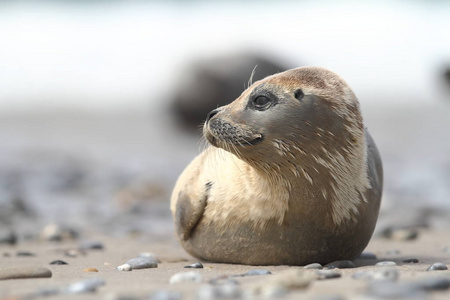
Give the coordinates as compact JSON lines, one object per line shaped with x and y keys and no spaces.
{"x":429,"y":247}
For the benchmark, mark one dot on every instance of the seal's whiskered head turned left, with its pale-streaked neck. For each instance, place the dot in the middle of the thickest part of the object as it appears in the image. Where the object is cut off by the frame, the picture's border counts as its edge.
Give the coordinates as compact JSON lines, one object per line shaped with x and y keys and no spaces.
{"x":303,"y":124}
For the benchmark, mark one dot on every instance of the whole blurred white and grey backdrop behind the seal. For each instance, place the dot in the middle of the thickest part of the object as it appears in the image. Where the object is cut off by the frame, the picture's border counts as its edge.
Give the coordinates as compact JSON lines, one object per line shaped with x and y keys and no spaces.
{"x":101,"y":101}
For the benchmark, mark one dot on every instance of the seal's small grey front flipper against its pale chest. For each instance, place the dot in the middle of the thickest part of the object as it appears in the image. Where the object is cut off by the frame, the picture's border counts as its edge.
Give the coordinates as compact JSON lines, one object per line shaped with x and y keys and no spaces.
{"x":188,"y":213}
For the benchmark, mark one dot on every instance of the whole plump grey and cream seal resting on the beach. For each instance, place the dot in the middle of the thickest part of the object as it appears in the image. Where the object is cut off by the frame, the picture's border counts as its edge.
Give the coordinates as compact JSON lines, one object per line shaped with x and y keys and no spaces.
{"x":291,"y":176}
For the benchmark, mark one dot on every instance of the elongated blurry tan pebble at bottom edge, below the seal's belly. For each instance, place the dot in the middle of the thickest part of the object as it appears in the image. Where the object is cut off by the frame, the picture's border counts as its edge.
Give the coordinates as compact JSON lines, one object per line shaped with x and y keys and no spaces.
{"x":279,"y":284}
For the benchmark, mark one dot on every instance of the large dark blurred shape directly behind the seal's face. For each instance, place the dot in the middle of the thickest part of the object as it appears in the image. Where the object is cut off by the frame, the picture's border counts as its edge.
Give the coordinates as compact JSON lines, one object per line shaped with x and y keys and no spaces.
{"x":209,"y":83}
